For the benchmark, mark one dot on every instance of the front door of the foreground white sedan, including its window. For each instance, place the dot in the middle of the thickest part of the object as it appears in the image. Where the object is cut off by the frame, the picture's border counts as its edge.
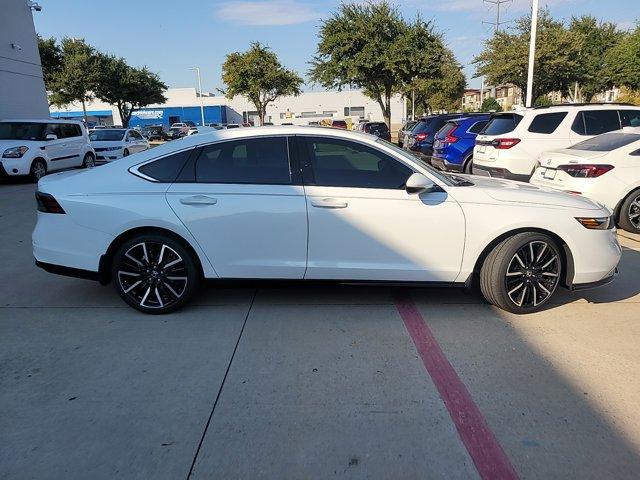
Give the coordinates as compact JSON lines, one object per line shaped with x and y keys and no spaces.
{"x":363,"y":225}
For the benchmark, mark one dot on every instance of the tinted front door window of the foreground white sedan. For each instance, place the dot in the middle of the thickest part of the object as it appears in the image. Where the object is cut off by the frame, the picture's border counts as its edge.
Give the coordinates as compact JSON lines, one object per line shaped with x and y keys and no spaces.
{"x":339,"y":163}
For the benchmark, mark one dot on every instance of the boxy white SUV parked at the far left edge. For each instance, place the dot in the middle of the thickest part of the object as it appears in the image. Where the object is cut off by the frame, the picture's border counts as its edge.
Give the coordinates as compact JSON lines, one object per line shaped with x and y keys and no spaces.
{"x":36,"y":147}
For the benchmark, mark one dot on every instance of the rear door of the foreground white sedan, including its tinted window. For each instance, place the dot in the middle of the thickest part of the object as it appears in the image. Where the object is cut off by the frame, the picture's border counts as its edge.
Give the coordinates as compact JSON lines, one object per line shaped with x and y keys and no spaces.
{"x":246,"y":209}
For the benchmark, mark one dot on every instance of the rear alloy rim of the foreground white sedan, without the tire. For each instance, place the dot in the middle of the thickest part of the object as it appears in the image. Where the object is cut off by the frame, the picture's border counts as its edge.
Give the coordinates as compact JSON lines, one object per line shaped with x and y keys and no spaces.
{"x":153,"y":275}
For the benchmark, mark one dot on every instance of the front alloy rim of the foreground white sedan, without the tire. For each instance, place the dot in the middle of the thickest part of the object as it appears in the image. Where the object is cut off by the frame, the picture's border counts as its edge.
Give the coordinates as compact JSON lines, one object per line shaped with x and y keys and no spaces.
{"x":533,"y":274}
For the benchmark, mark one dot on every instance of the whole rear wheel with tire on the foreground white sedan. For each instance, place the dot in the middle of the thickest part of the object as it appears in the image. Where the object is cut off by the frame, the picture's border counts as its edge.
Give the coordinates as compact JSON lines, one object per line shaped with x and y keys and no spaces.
{"x":166,"y":280}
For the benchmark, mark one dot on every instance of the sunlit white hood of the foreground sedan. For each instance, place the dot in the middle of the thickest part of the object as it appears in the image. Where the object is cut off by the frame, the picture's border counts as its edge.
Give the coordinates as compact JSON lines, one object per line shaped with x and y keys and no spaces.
{"x":518,"y":192}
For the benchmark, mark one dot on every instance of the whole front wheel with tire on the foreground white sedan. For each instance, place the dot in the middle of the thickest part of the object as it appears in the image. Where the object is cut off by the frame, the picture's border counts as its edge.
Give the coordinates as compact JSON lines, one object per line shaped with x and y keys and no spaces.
{"x":523,"y":284}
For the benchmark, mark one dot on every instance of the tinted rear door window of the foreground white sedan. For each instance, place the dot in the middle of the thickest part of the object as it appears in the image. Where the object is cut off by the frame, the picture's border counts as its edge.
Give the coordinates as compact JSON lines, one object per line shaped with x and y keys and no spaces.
{"x":254,"y":160}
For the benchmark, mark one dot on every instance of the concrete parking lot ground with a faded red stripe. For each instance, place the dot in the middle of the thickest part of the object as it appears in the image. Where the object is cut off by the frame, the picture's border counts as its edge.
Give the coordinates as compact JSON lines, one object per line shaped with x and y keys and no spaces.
{"x":280,"y":381}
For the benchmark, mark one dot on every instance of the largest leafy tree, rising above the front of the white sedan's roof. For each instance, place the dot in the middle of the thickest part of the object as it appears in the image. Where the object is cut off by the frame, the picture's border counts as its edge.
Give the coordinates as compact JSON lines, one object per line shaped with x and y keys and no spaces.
{"x":371,"y":47}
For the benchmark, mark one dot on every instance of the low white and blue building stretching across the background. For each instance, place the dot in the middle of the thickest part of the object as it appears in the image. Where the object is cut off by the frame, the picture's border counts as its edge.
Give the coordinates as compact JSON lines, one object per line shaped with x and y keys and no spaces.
{"x":185,"y":104}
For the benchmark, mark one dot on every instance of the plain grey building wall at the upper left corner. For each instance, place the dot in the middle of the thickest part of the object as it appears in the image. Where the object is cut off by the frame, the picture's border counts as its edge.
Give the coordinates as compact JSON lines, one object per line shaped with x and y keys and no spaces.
{"x":22,"y":91}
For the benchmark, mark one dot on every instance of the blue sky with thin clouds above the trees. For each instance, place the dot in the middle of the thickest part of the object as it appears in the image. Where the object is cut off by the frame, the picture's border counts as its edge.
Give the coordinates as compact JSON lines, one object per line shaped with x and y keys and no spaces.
{"x":170,"y":36}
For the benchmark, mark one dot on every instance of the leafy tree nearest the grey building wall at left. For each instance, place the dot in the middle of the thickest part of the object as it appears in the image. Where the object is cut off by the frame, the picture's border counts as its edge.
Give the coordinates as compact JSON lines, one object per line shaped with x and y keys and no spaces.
{"x":78,"y":75}
